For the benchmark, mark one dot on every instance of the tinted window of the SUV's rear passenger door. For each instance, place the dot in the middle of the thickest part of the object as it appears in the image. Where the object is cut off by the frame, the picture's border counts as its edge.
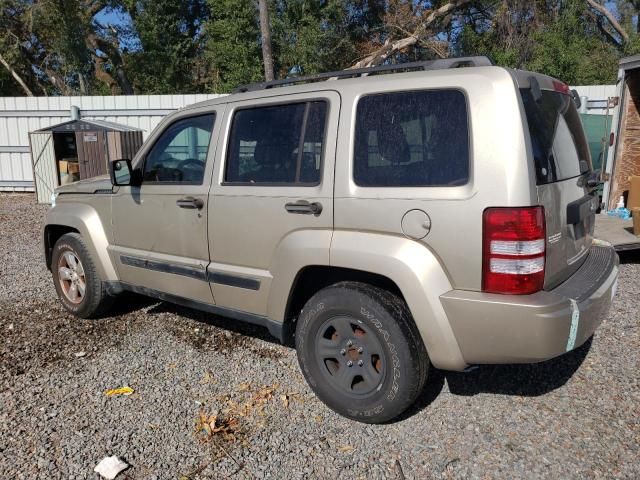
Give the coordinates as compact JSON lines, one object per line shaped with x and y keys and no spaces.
{"x":279,"y":144}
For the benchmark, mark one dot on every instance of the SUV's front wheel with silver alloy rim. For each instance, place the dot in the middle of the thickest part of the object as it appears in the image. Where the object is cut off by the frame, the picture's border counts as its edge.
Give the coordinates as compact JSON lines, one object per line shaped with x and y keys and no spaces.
{"x":93,"y":300}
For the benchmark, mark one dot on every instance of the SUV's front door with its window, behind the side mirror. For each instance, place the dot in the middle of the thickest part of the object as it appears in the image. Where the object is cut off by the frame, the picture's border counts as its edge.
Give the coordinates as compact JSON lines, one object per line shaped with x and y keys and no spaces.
{"x":160,"y":228}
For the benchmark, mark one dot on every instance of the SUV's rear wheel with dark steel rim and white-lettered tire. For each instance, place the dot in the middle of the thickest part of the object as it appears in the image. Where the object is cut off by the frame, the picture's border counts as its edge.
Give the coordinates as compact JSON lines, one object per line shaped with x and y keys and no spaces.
{"x":389,"y":362}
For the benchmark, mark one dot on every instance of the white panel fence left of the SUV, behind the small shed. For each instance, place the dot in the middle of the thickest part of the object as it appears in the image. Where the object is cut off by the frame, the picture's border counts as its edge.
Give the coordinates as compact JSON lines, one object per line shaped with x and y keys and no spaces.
{"x":21,"y":115}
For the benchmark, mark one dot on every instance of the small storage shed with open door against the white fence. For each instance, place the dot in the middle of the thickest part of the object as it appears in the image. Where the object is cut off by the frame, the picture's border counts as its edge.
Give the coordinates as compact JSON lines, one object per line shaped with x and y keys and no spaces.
{"x":76,"y":150}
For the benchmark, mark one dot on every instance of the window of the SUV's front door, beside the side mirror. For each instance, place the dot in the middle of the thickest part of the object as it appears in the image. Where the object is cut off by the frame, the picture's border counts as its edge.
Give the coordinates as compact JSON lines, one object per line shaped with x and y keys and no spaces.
{"x":180,"y":154}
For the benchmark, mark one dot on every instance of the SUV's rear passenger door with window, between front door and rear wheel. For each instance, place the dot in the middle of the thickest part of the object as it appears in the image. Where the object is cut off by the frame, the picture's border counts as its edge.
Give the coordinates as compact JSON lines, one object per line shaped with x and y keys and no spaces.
{"x":272,"y":196}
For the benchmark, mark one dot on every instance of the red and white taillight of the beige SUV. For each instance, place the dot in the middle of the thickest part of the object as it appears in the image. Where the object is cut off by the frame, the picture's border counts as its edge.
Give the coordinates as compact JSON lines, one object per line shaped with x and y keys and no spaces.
{"x":513,"y":250}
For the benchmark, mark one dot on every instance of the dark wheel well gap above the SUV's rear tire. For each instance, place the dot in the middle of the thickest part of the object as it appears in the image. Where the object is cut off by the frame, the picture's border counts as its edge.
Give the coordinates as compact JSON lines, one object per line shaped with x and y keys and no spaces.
{"x":314,"y":278}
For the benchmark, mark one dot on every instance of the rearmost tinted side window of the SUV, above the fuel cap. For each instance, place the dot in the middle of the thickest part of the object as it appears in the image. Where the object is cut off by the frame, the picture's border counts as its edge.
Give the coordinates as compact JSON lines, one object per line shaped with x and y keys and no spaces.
{"x":412,"y":139}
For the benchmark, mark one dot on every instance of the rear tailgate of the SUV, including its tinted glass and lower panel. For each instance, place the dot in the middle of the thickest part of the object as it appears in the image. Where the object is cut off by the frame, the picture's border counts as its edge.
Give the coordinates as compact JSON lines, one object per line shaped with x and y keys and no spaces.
{"x":562,"y":165}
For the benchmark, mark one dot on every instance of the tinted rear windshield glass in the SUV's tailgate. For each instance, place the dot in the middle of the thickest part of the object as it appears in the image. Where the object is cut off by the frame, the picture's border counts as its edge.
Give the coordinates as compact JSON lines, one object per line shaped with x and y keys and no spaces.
{"x":560,"y":148}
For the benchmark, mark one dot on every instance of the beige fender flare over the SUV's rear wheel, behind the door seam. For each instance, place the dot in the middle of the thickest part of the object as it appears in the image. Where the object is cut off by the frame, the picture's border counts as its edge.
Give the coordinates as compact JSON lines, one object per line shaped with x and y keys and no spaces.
{"x":419,"y":276}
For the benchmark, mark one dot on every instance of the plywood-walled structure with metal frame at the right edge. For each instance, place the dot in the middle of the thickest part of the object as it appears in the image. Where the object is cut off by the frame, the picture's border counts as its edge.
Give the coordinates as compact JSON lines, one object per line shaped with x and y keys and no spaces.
{"x":624,"y":151}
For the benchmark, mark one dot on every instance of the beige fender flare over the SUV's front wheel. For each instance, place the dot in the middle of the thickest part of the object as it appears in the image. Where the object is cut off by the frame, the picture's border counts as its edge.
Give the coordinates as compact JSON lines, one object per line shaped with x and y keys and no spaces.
{"x":86,"y":220}
